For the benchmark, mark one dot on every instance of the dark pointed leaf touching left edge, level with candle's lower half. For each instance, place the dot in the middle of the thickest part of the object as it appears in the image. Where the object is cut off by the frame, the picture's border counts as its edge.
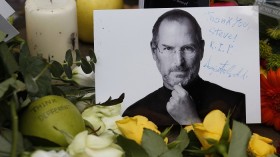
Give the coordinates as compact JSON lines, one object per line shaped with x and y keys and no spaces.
{"x":8,"y":59}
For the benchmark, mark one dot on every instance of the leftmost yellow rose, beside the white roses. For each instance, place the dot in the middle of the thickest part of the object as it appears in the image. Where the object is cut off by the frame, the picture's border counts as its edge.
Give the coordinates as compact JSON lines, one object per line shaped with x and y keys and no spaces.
{"x":133,"y":127}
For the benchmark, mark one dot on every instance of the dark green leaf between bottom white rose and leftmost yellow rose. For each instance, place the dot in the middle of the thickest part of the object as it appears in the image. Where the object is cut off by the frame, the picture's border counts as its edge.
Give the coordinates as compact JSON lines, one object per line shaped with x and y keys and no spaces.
{"x":131,"y":148}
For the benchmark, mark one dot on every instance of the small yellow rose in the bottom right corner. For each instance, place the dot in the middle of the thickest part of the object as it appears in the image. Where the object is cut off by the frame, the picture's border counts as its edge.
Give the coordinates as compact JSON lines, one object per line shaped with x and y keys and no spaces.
{"x":260,"y":146}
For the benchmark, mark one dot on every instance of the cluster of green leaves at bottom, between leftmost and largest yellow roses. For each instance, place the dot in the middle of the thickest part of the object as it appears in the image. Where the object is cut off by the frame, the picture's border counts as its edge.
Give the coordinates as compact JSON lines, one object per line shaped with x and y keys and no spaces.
{"x":153,"y":145}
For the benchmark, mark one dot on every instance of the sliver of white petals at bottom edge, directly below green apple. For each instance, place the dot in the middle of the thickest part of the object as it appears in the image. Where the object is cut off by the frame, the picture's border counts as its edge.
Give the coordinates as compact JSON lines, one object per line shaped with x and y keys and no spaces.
{"x":42,"y":153}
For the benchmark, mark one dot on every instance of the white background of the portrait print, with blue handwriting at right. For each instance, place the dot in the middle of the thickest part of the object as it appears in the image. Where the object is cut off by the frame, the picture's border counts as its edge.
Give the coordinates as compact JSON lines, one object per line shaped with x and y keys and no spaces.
{"x":126,"y":65}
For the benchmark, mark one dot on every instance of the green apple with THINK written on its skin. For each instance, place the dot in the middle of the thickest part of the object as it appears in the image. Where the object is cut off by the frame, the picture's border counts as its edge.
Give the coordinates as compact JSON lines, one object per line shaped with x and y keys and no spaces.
{"x":49,"y":116}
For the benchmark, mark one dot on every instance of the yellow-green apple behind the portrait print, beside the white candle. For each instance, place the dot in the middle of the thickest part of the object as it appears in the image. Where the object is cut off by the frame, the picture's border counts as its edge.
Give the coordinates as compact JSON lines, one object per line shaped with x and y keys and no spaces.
{"x":85,"y":15}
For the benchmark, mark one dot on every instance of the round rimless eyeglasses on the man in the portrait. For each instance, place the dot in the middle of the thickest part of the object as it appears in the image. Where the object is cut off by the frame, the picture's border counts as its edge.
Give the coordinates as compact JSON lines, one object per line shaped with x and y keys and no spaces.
{"x":169,"y":50}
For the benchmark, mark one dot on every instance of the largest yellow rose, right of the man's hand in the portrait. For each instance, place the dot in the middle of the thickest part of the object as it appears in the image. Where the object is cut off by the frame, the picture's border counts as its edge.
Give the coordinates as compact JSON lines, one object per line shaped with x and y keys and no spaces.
{"x":211,"y":128}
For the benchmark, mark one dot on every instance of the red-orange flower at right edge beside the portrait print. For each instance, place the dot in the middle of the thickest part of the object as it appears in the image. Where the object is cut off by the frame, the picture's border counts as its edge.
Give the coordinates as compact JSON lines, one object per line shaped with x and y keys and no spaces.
{"x":270,"y":98}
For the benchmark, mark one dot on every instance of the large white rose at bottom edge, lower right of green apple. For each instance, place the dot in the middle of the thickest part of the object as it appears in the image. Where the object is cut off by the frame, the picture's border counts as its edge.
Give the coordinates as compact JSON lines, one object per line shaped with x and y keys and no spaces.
{"x":84,"y":145}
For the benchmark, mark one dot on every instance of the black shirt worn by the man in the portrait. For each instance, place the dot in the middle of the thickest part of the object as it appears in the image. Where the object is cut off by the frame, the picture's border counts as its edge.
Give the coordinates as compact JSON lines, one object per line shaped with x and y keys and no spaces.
{"x":206,"y":95}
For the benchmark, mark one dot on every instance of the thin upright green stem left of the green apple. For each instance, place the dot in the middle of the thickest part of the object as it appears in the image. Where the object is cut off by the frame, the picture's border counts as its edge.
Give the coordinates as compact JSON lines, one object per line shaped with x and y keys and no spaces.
{"x":14,"y":126}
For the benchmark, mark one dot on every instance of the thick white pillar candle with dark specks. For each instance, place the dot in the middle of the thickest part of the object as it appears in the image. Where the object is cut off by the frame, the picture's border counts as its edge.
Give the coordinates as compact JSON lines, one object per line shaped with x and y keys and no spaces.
{"x":51,"y":27}
